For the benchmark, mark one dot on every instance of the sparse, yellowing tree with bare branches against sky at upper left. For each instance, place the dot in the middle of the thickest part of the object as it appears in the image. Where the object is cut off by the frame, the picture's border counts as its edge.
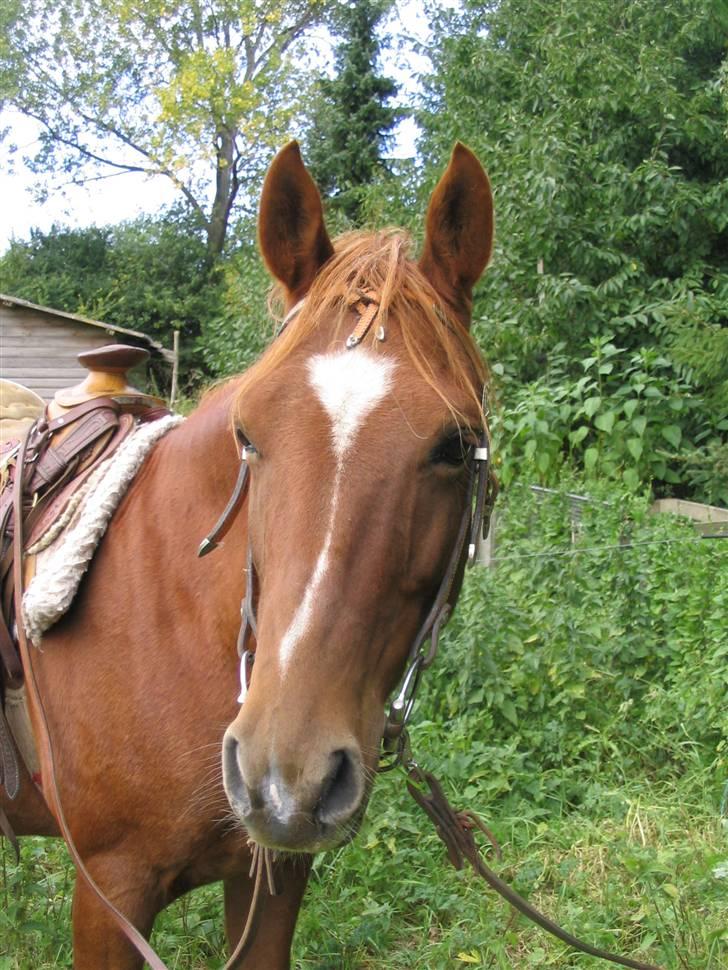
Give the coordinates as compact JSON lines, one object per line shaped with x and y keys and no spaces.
{"x":196,"y":92}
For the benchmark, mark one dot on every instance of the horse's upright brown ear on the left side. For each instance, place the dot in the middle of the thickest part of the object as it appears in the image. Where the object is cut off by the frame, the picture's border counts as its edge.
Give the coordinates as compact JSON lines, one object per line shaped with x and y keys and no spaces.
{"x":291,"y":230}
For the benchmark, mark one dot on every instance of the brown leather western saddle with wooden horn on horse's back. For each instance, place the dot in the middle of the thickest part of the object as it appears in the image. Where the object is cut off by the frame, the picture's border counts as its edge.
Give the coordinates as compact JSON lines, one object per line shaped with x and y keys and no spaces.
{"x":78,"y":430}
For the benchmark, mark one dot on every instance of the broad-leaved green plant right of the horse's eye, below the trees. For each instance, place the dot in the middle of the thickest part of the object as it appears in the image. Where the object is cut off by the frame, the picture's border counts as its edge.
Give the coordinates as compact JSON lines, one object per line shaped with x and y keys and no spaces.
{"x":624,"y":418}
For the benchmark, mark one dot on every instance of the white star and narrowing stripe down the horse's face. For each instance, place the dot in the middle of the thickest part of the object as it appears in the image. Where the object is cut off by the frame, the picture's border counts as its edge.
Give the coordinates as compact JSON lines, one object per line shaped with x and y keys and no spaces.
{"x":349,"y":384}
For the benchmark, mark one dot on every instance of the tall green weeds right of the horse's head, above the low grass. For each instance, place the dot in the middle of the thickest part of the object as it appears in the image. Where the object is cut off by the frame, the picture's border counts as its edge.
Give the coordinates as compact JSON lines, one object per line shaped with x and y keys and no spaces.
{"x":568,"y":668}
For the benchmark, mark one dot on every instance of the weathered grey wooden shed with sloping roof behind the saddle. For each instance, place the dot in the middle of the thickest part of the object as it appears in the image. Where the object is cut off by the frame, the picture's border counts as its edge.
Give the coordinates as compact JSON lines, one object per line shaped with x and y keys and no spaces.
{"x":39,"y":345}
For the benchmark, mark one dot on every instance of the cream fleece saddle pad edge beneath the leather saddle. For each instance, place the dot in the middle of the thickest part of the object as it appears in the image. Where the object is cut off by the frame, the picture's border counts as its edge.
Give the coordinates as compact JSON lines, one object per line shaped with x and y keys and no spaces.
{"x":63,"y":554}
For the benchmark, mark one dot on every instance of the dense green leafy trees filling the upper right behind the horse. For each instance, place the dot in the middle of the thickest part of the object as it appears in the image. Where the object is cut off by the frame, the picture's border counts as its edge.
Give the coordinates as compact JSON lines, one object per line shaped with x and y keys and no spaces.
{"x":604,"y":129}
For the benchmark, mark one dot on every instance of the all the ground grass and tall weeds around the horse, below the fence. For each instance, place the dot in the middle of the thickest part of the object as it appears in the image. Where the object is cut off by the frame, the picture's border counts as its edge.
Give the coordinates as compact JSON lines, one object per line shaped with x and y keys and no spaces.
{"x":578,"y":704}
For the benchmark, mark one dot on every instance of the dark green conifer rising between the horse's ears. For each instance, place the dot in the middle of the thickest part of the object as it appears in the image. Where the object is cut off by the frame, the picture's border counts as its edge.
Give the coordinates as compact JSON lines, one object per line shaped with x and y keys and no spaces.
{"x":353,"y":116}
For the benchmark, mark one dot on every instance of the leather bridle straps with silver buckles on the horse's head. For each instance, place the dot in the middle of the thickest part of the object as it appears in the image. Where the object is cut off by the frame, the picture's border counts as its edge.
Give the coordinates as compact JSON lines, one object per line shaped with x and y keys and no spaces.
{"x":474,"y":523}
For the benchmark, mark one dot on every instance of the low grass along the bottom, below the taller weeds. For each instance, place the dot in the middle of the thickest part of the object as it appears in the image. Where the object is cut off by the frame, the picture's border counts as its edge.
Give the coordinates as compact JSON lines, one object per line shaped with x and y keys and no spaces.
{"x":641,"y":874}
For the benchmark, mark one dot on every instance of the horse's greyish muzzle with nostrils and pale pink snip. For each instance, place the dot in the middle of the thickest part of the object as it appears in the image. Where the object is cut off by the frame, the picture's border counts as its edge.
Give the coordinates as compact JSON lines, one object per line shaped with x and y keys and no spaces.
{"x":302,"y":808}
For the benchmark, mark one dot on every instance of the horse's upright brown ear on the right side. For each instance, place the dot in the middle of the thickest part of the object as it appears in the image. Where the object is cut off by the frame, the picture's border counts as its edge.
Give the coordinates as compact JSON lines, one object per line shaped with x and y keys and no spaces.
{"x":459,"y":231}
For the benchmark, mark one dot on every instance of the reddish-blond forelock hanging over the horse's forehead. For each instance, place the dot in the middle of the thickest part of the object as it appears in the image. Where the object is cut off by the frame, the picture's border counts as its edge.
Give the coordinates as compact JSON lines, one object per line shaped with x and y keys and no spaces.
{"x":381,"y":263}
